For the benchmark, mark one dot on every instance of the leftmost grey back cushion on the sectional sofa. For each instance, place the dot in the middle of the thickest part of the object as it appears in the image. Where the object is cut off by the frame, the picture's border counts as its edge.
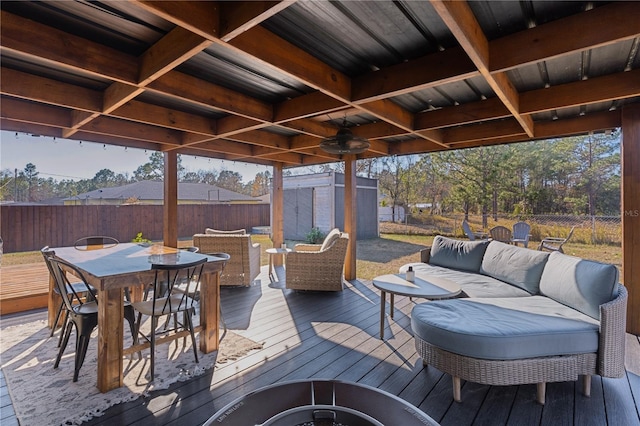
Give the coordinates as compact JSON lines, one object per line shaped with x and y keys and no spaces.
{"x":456,"y":254}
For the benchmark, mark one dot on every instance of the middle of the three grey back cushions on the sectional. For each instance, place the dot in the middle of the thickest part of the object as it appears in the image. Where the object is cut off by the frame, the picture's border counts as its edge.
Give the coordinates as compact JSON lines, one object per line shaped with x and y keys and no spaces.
{"x":514,"y":265}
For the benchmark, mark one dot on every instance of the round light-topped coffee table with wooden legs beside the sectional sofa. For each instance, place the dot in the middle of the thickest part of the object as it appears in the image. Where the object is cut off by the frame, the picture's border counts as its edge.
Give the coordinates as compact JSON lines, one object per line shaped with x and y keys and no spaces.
{"x":424,"y":285}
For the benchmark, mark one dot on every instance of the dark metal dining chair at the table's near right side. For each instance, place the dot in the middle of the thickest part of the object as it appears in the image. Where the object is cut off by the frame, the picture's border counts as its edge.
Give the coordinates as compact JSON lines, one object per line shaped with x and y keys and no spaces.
{"x":166,"y":300}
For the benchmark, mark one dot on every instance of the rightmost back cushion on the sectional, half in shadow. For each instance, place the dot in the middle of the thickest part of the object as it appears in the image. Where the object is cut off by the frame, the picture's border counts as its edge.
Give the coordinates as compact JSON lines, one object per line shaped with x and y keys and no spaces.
{"x":581,"y":284}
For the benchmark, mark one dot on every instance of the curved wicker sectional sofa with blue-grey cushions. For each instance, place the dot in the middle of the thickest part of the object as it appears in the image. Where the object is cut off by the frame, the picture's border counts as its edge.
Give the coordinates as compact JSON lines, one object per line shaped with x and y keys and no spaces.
{"x":524,"y":316}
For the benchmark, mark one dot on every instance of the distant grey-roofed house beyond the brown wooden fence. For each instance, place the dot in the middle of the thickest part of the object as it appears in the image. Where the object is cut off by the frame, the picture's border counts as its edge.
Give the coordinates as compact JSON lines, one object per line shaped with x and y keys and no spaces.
{"x":152,"y":192}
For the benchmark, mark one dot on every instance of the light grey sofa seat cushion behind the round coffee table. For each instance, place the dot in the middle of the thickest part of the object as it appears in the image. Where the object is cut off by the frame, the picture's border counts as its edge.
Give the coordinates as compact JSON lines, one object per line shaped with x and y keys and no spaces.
{"x":472,"y":284}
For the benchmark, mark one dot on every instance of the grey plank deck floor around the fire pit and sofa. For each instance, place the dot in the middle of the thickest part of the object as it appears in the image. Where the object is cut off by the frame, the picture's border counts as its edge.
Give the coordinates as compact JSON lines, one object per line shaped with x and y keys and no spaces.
{"x":336,"y":336}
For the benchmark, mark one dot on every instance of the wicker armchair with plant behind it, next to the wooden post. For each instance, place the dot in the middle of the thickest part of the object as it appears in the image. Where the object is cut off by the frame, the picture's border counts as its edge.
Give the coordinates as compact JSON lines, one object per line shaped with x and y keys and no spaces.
{"x":318,"y":267}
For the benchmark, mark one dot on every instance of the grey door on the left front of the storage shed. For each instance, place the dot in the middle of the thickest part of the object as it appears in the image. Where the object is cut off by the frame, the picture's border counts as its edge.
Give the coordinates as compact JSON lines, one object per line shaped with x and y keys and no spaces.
{"x":298,"y":213}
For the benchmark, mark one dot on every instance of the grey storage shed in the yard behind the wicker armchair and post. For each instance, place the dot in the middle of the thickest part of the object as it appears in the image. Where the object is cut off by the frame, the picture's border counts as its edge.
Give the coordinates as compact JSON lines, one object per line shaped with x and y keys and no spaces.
{"x":317,"y":200}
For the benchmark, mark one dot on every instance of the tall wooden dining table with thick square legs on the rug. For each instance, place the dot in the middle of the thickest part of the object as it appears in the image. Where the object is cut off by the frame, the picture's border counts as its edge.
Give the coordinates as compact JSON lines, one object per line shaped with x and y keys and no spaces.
{"x":111,"y":270}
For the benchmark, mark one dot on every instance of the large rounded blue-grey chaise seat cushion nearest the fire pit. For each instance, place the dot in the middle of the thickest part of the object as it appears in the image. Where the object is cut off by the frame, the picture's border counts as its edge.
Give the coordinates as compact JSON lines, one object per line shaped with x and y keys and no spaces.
{"x":505,"y":328}
